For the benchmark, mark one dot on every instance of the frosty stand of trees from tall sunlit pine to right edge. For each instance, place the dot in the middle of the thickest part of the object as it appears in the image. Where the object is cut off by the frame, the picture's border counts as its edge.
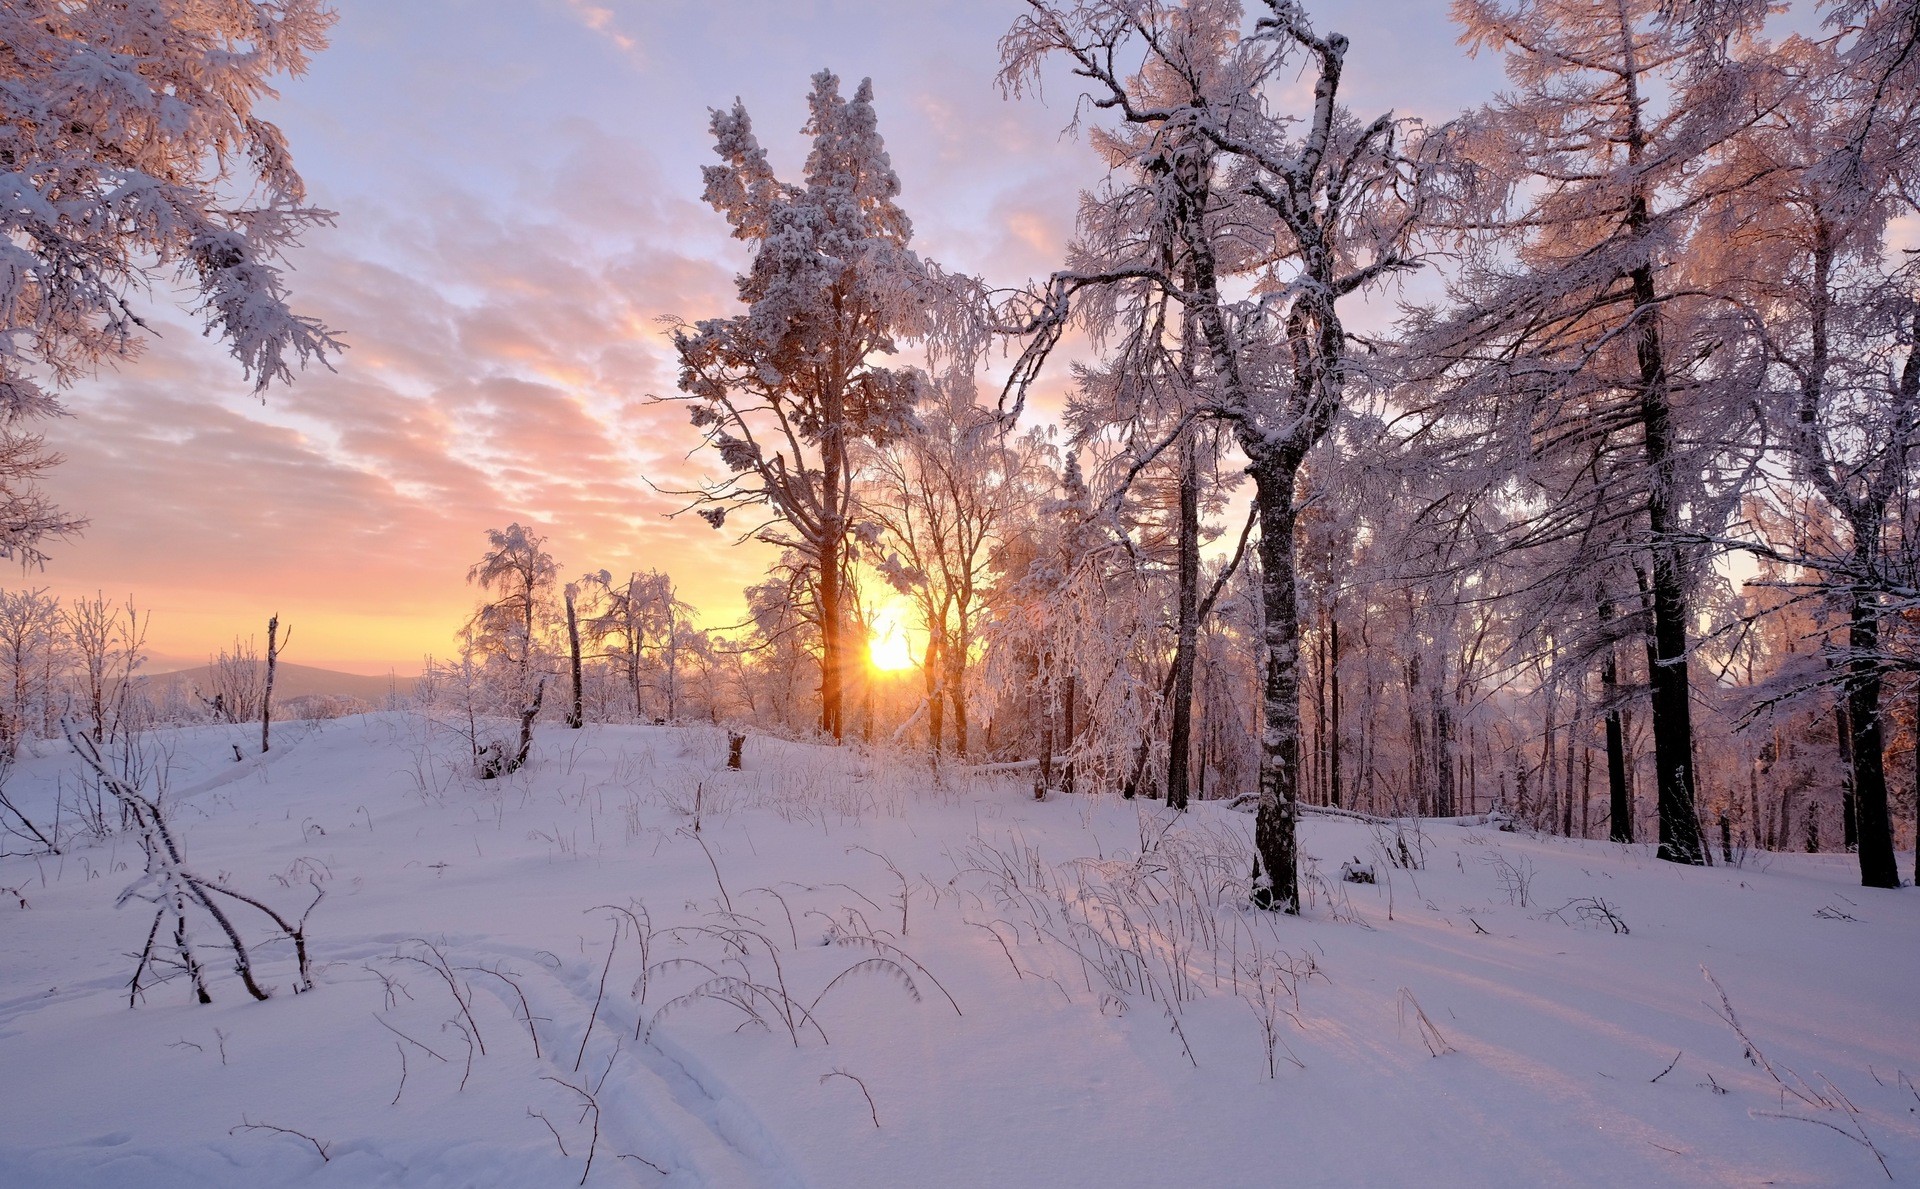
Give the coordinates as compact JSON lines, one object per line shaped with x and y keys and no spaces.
{"x":1616,"y":537}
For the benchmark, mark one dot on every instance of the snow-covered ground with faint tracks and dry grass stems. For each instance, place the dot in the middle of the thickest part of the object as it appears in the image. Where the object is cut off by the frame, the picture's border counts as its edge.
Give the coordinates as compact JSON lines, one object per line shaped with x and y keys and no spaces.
{"x":1020,"y":994}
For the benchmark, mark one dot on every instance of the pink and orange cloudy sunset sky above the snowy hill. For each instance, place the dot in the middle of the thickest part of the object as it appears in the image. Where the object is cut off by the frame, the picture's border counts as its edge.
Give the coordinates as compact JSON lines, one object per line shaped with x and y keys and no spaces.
{"x":519,"y":205}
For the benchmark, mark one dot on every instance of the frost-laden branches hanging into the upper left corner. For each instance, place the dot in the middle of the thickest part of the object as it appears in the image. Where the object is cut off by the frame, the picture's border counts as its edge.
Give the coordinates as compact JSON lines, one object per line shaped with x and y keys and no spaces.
{"x":132,"y":160}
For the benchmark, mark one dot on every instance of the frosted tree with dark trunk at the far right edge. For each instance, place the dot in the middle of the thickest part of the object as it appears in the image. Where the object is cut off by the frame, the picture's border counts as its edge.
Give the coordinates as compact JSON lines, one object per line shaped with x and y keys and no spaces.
{"x":1840,"y":328}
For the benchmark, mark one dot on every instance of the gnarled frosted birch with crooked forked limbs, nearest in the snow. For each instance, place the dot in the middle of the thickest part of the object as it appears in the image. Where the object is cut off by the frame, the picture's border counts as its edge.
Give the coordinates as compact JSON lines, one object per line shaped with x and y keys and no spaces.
{"x":1305,"y":210}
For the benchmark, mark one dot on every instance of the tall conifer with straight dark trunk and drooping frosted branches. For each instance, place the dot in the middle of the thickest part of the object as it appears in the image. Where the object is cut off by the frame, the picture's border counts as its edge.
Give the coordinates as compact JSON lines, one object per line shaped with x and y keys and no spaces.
{"x":1587,"y":343}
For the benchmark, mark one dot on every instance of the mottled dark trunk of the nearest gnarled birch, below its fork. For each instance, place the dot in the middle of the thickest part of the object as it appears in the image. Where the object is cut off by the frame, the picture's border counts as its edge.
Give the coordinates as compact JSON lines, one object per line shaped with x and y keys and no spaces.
{"x":1280,"y":742}
